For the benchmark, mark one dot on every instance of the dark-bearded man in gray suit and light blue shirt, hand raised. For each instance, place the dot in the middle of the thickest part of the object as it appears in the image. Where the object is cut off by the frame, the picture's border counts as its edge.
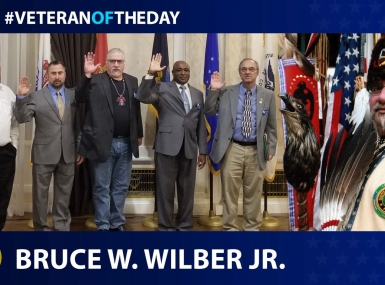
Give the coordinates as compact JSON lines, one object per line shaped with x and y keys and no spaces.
{"x":53,"y":149}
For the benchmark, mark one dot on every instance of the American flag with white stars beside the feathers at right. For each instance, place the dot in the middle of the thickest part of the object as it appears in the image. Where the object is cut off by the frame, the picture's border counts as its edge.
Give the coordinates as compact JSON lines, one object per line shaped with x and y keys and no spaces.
{"x":342,"y":91}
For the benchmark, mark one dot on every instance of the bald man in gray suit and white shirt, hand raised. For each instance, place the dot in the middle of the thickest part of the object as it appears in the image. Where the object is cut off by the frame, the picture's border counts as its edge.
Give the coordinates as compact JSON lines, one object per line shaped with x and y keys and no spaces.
{"x":181,"y":130}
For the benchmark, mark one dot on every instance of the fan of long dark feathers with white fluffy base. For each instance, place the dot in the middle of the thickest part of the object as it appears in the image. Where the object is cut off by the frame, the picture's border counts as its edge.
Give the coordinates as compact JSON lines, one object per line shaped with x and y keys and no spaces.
{"x":343,"y":170}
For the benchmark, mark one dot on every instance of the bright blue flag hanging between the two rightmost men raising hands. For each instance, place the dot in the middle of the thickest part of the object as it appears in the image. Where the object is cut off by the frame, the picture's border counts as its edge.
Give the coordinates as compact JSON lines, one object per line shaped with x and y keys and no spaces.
{"x":211,"y":65}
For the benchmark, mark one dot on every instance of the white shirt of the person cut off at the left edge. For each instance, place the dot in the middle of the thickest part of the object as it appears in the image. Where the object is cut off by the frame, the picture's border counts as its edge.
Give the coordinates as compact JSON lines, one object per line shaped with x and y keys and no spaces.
{"x":9,"y":128}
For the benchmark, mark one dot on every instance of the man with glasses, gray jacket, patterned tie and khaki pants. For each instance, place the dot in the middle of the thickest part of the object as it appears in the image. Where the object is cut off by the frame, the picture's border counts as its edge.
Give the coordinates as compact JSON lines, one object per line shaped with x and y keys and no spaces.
{"x":246,"y":112}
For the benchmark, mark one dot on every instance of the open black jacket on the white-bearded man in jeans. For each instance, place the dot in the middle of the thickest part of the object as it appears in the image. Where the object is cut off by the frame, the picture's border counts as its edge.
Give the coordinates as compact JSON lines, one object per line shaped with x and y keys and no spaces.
{"x":96,"y":138}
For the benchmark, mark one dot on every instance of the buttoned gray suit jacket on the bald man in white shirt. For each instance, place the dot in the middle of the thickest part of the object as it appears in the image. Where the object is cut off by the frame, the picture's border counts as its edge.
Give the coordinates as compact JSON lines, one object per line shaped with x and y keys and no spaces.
{"x":175,"y":126}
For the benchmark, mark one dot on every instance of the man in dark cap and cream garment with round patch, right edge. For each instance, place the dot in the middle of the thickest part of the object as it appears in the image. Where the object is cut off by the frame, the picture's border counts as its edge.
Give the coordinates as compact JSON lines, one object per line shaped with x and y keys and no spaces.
{"x":366,"y":211}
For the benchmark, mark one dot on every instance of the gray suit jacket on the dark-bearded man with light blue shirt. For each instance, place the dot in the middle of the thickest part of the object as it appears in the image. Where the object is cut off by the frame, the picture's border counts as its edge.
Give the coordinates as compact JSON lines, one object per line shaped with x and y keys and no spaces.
{"x":52,"y":135}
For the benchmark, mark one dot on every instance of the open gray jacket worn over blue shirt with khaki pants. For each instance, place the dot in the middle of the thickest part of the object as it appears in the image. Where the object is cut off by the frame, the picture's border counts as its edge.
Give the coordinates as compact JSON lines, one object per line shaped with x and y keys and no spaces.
{"x":225,"y":103}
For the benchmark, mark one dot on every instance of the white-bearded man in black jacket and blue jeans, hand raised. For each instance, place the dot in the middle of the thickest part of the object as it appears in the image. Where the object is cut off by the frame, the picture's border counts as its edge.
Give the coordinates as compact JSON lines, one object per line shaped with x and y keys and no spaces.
{"x":111,"y":133}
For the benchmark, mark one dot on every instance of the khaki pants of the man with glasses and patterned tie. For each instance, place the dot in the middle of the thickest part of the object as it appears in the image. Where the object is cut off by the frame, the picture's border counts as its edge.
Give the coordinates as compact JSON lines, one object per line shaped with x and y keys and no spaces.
{"x":240,"y":168}
